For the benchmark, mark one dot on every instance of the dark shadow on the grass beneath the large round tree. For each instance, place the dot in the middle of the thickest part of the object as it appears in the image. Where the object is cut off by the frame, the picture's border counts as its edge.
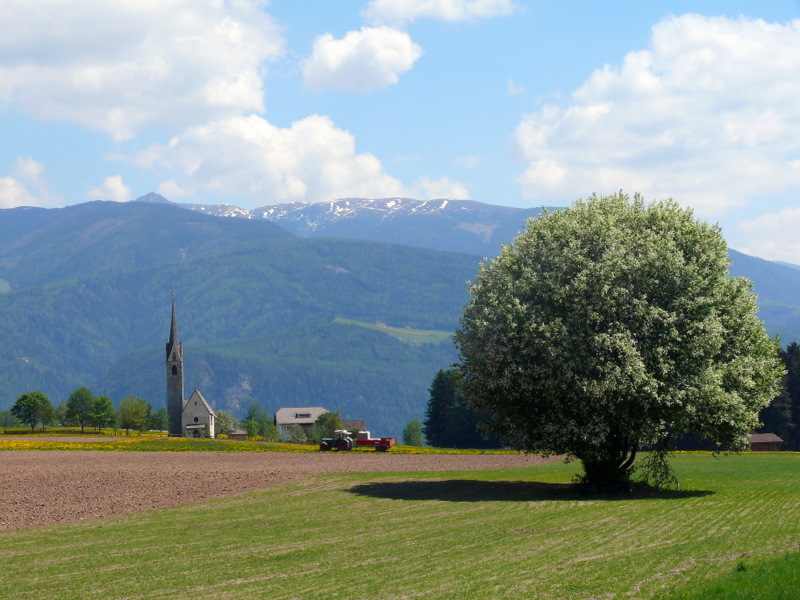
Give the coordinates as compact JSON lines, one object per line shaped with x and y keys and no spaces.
{"x":472,"y":490}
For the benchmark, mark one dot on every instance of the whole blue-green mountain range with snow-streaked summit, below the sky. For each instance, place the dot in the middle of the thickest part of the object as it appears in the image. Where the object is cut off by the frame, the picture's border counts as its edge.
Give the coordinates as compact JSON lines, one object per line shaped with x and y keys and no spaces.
{"x":290,"y":305}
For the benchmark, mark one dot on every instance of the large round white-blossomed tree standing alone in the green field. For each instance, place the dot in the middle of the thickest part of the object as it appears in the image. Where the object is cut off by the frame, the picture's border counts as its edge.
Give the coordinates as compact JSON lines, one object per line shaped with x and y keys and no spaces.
{"x":610,"y":326}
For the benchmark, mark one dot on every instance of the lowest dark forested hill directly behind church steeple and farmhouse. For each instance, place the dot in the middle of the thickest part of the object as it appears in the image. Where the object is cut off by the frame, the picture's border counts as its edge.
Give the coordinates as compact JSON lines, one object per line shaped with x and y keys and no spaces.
{"x":362,"y":373}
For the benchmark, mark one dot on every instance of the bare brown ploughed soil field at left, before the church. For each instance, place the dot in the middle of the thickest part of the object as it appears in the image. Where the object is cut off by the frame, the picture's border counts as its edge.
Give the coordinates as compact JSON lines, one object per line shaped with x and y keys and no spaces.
{"x":42,"y":488}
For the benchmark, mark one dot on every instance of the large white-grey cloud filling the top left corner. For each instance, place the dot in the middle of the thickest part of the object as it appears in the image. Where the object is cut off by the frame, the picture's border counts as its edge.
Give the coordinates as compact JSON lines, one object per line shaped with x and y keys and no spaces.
{"x":123,"y":65}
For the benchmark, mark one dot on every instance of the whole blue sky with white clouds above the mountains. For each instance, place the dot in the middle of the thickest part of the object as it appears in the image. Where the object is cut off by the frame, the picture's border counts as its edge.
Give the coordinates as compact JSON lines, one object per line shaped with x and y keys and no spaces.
{"x":501,"y":101}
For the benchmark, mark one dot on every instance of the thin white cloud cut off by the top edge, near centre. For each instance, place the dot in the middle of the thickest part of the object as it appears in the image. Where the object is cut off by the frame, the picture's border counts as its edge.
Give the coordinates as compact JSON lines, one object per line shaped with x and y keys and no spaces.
{"x":400,"y":12}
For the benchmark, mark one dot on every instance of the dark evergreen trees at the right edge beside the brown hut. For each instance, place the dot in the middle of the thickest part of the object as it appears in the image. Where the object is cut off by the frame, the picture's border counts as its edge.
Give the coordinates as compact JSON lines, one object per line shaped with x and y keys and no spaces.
{"x":782,"y":416}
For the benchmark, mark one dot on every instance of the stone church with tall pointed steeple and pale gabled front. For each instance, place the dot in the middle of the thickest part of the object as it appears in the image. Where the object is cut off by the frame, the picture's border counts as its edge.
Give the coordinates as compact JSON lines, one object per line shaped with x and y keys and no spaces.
{"x":192,"y":417}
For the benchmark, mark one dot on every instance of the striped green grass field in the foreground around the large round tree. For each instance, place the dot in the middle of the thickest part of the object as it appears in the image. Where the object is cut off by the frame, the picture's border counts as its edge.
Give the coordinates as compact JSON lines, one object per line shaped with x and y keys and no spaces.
{"x":525,"y":533}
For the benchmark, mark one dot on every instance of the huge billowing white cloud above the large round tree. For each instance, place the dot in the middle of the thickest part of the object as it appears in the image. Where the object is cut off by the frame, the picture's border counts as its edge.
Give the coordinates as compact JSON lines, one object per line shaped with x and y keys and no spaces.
{"x":707,"y":115}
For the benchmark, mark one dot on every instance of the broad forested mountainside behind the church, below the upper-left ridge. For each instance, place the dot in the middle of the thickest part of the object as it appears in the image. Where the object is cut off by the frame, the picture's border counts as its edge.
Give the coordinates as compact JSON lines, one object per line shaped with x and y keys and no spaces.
{"x":257,"y":320}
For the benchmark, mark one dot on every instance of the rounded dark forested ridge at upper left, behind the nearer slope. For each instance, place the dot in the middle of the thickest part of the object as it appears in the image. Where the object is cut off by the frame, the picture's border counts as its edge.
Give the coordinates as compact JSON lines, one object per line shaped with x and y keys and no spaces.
{"x":40,"y":246}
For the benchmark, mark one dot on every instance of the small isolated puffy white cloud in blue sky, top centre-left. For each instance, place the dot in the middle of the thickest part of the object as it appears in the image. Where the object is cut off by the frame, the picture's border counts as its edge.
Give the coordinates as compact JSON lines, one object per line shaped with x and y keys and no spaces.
{"x":363,"y":61}
